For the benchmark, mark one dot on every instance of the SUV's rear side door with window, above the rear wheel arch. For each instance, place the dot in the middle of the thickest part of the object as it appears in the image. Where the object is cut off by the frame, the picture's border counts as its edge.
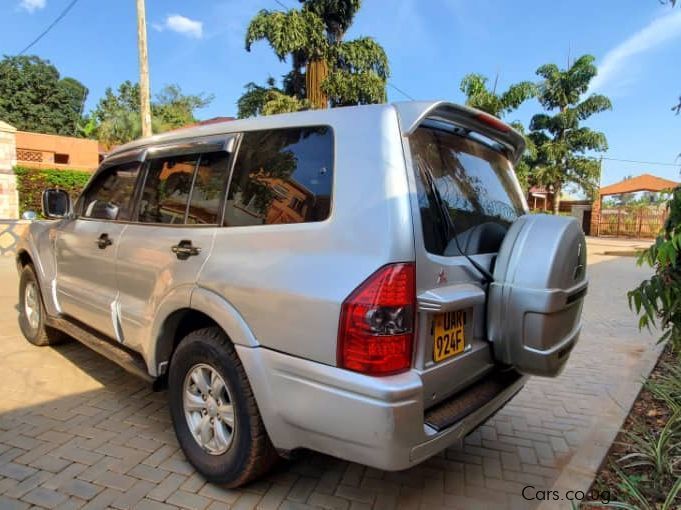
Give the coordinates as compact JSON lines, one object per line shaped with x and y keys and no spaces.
{"x":165,"y":247}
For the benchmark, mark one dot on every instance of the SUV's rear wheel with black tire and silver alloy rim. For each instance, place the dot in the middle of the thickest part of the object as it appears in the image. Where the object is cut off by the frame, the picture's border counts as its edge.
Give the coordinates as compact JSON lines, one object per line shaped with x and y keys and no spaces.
{"x":214,"y":413}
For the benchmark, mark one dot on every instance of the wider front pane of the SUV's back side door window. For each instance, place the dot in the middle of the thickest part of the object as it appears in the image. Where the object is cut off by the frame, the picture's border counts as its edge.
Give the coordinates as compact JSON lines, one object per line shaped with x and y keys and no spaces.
{"x":166,"y":189}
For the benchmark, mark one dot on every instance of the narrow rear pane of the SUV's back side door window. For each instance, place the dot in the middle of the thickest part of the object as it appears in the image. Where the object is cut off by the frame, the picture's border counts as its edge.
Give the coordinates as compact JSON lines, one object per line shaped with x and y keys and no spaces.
{"x":209,"y":185}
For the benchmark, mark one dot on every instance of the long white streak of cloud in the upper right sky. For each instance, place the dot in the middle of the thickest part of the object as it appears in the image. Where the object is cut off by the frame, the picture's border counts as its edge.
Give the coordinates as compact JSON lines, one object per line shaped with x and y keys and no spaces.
{"x":661,"y":30}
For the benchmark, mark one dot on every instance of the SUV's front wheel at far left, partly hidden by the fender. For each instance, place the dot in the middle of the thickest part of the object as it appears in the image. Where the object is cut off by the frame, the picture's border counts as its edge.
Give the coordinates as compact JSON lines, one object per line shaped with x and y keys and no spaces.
{"x":32,"y":312}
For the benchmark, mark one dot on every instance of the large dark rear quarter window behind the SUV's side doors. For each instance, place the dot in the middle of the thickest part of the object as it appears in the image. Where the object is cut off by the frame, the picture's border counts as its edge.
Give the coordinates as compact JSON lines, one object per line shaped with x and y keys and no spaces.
{"x":282,"y":176}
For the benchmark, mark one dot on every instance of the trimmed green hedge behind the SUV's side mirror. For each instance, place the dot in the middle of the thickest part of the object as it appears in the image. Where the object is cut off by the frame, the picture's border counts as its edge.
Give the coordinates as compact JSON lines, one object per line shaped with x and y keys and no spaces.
{"x":31,"y":182}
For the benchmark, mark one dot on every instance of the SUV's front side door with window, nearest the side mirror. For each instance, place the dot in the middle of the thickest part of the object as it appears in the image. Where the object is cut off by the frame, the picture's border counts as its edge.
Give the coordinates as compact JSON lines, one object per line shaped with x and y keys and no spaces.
{"x":86,"y":247}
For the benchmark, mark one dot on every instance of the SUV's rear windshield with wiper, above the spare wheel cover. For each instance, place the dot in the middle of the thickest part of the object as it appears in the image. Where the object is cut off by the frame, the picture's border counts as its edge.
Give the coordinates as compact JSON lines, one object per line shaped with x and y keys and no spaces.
{"x":466,"y":191}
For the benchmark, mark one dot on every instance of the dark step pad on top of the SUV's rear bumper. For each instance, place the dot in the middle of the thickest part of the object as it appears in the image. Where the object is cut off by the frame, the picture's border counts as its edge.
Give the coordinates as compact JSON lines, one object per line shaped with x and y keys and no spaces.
{"x":460,"y":405}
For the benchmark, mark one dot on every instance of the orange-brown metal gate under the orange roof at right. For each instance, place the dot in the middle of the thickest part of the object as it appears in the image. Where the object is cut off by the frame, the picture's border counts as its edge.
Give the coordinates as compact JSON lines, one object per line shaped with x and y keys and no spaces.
{"x":632,"y":222}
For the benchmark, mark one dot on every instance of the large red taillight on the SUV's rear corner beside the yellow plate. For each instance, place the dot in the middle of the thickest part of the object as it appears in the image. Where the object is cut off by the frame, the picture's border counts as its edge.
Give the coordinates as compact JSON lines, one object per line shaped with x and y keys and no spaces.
{"x":376,"y":332}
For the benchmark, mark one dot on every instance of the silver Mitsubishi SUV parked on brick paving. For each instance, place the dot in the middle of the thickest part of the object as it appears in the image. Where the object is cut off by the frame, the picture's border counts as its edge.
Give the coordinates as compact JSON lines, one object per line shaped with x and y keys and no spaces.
{"x":364,"y":282}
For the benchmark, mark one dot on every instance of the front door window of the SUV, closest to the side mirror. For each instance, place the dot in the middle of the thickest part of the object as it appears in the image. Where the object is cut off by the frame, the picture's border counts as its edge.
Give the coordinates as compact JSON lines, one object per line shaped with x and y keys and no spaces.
{"x":109,"y":196}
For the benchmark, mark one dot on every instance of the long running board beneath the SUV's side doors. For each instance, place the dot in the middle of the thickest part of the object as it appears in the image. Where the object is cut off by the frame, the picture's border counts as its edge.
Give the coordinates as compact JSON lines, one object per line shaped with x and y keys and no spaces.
{"x":127,"y":359}
